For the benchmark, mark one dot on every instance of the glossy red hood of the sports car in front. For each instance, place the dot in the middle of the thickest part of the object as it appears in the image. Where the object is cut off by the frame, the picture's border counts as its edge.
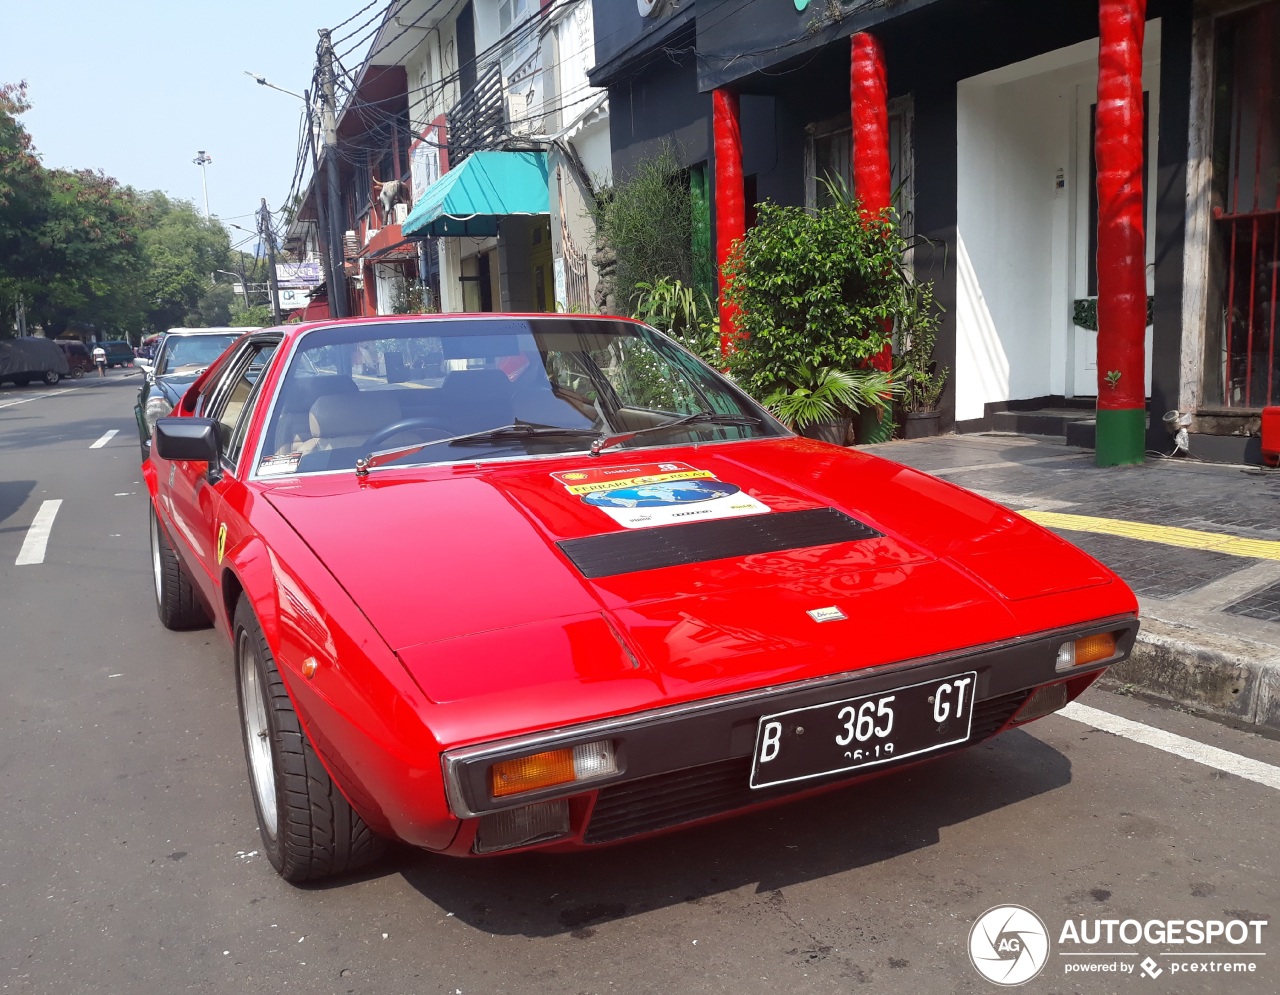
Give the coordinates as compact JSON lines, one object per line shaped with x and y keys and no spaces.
{"x":468,"y":574}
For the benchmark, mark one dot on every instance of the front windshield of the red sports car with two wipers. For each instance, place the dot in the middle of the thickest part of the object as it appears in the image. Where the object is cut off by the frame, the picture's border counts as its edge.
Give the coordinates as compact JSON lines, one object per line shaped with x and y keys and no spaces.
{"x":493,"y":389}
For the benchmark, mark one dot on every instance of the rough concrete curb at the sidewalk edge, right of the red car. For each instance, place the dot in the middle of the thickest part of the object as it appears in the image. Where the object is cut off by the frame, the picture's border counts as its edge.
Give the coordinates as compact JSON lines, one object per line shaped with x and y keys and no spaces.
{"x":1228,"y":677}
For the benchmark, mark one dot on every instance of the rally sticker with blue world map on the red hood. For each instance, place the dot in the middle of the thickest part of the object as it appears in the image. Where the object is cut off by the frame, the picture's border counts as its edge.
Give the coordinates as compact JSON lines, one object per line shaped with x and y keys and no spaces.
{"x":648,"y":495}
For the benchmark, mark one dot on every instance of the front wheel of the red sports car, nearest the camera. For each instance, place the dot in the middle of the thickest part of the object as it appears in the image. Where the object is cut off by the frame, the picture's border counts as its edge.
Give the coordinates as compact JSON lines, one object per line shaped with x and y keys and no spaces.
{"x":308,"y":827}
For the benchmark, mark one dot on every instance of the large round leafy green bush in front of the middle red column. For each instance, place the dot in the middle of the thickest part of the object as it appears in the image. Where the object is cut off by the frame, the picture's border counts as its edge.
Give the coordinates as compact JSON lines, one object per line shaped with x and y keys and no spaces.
{"x":815,"y":294}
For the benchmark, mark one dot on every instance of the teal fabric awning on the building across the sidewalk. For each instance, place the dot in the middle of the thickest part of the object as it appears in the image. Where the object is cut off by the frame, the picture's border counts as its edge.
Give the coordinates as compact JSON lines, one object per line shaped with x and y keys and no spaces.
{"x":472,"y":199}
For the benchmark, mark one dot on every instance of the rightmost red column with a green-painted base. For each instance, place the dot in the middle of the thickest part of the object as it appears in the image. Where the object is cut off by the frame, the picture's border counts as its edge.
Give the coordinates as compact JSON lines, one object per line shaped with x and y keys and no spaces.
{"x":1122,"y":240}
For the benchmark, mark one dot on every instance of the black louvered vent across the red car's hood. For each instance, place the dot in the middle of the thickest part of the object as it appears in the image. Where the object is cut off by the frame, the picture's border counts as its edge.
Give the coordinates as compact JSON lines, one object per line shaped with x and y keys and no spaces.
{"x":628,"y":553}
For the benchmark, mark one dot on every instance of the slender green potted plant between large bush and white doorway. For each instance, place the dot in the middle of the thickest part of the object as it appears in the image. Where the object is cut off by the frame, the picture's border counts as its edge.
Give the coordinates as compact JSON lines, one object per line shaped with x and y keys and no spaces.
{"x":917,"y":372}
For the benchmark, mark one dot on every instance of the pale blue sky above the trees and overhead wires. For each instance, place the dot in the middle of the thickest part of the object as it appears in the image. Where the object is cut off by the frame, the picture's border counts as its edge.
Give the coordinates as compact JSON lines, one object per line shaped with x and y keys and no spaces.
{"x":138,"y":89}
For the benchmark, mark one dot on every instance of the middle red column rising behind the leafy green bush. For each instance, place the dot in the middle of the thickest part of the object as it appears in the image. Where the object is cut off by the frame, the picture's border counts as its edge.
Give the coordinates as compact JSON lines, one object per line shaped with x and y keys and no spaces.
{"x":868,"y":97}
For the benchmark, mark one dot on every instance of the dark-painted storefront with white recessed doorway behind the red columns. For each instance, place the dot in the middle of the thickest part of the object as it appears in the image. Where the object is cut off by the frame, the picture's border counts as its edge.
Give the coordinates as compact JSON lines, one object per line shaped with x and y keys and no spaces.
{"x":993,"y":111}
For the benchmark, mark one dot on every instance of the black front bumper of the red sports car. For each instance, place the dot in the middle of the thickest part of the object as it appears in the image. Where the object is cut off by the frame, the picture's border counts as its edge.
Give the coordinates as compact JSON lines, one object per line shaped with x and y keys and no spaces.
{"x":691,"y":763}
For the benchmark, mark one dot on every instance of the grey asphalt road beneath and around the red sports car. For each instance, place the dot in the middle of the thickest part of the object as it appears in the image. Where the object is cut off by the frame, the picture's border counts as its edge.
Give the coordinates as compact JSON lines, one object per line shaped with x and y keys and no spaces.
{"x":130,"y":857}
